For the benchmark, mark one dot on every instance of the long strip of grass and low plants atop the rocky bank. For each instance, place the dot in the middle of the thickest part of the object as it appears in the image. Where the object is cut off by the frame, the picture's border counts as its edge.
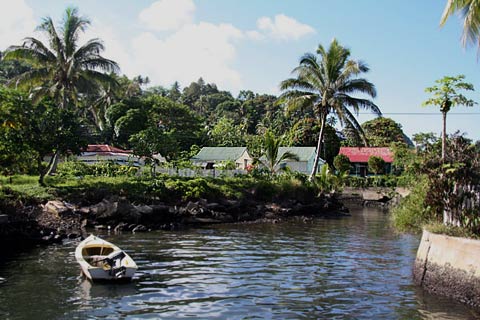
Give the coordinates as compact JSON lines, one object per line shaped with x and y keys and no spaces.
{"x":144,"y":189}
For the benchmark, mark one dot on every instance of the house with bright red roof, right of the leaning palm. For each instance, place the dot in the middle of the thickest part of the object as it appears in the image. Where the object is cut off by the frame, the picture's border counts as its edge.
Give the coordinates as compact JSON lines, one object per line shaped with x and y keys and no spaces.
{"x":359,"y":158}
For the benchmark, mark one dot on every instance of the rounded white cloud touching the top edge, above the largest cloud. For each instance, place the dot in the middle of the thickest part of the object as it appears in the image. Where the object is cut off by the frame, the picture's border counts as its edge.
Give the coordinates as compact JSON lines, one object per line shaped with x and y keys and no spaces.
{"x":166,"y":15}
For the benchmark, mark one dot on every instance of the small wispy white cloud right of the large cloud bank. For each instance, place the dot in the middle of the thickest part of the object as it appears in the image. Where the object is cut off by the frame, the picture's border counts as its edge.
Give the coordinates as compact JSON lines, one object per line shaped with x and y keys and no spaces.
{"x":283,"y":27}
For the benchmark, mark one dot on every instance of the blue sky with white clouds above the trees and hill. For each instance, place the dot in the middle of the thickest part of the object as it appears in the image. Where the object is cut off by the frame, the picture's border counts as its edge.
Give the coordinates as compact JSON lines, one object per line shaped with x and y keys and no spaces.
{"x":255,"y":44}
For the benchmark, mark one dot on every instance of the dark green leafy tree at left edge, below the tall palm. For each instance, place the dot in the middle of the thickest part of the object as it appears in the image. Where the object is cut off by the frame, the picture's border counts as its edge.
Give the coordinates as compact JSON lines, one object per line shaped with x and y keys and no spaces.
{"x":28,"y":133}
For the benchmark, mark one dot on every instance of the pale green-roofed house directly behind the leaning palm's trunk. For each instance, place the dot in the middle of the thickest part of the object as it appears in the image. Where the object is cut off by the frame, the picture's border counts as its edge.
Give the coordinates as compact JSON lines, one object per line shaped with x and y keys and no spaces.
{"x":305,"y":162}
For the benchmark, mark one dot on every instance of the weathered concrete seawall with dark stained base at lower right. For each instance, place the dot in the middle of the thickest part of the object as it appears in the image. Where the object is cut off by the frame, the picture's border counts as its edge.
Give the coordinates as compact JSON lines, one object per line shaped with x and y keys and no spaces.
{"x":449,"y":266}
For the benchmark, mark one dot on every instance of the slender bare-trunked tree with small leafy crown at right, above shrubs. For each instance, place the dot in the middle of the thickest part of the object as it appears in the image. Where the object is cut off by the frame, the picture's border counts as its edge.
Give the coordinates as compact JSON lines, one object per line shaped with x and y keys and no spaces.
{"x":445,"y":95}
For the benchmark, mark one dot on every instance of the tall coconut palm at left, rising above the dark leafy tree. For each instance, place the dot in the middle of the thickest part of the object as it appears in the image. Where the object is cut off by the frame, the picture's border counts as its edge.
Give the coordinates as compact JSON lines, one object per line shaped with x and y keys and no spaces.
{"x":62,"y":69}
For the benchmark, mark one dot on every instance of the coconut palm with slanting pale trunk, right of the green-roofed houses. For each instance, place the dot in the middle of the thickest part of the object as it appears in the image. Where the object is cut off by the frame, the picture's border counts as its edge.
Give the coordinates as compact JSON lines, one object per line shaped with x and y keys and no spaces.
{"x":325,"y":83}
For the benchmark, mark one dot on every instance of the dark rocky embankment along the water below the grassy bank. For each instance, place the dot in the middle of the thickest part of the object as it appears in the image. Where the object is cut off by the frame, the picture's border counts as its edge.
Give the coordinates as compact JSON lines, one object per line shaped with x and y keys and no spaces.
{"x":57,"y":220}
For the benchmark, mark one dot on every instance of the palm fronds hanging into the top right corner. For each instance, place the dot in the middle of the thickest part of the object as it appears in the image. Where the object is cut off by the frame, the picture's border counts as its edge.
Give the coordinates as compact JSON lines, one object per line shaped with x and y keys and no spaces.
{"x":470,"y":13}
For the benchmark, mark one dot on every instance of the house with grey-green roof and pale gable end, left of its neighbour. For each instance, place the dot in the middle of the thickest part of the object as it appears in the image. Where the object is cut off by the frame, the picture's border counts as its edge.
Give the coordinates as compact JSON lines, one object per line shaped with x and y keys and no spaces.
{"x":209,"y":157}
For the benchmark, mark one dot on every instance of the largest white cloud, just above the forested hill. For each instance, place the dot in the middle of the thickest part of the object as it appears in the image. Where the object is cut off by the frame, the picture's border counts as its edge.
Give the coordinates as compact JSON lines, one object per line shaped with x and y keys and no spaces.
{"x":201,"y":50}
